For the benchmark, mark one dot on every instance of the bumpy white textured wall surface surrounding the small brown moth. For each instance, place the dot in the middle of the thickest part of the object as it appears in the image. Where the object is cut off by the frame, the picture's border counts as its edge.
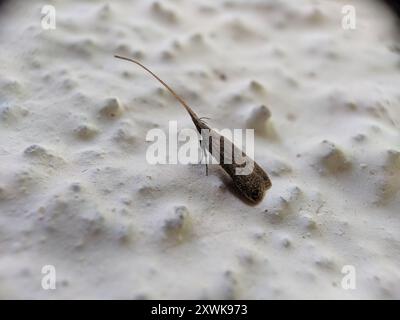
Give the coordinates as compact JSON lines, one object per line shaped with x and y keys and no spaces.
{"x":77,"y":193}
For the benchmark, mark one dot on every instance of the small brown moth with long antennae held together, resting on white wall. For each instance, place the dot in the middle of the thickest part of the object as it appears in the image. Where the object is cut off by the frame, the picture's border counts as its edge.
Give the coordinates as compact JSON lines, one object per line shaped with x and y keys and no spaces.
{"x":252,"y":185}
